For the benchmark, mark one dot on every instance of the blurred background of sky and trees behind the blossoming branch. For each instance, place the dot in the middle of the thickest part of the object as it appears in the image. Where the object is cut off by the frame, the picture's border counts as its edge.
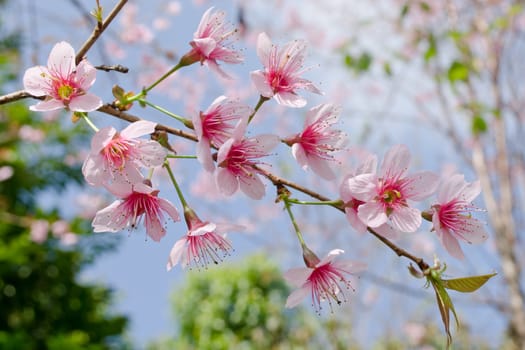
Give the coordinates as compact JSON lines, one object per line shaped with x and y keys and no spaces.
{"x":443,"y":77}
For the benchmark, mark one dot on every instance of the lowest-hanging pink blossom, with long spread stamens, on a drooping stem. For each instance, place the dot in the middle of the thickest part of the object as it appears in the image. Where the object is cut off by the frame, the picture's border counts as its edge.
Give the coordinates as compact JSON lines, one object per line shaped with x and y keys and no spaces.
{"x":323,"y":280}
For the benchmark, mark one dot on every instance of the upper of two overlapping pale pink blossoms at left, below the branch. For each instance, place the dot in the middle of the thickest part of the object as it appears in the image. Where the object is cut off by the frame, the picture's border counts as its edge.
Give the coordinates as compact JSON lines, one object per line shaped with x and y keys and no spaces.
{"x":117,"y":156}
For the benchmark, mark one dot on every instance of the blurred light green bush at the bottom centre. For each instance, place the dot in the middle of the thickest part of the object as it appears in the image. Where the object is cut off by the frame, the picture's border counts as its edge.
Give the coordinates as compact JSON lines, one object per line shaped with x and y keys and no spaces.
{"x":239,"y":307}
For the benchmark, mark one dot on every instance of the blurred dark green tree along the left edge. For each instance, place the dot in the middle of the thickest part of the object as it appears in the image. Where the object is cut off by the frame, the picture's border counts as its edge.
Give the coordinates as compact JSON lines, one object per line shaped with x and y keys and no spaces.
{"x":43,"y":304}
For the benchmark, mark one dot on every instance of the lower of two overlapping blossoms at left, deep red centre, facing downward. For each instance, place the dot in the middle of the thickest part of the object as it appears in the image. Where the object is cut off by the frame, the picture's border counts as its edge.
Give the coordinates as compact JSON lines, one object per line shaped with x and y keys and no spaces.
{"x":137,"y":202}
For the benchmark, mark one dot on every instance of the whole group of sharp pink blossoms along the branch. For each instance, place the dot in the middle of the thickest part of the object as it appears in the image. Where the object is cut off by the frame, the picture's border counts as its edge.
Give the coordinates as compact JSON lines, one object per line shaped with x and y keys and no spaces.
{"x":379,"y":200}
